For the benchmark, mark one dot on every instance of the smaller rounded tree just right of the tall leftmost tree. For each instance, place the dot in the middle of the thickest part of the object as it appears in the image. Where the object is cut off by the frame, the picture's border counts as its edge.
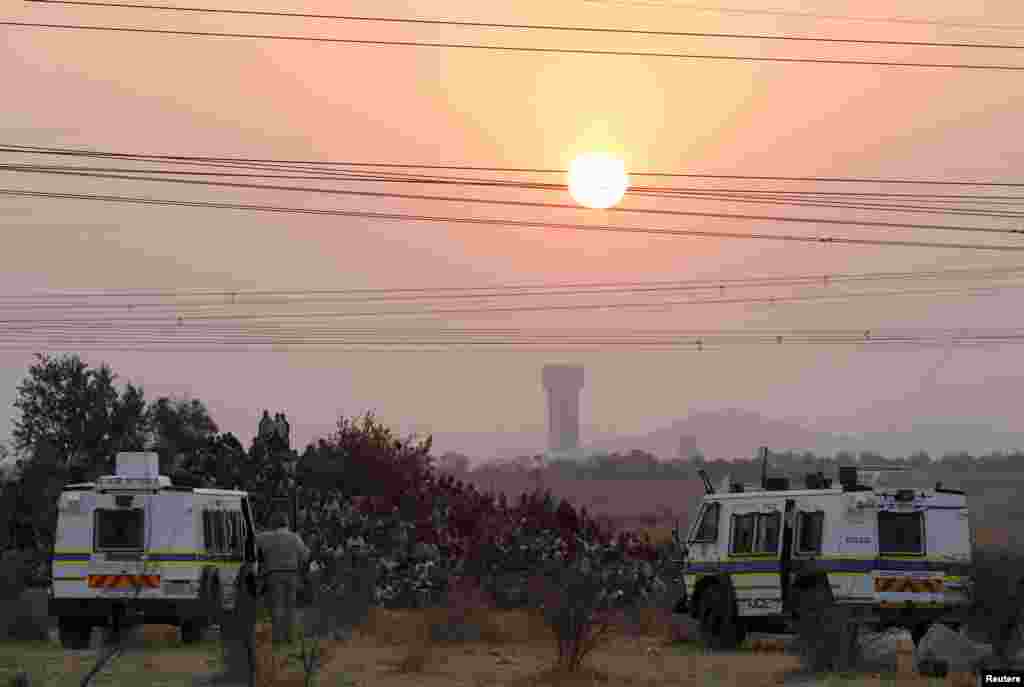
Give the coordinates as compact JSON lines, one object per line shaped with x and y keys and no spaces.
{"x":179,"y":428}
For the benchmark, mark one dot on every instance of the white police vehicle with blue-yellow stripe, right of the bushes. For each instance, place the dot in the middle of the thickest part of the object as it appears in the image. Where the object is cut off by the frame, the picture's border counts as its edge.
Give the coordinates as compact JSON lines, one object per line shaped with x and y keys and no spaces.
{"x":757,"y":560}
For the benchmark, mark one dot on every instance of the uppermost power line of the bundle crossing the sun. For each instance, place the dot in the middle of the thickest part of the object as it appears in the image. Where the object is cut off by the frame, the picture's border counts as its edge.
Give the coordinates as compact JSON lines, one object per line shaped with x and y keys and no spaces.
{"x":10,"y":148}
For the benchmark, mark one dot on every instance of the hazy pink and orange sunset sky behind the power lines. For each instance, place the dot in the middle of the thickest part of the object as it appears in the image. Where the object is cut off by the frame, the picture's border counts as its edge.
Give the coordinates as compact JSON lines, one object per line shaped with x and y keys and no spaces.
{"x":315,"y":102}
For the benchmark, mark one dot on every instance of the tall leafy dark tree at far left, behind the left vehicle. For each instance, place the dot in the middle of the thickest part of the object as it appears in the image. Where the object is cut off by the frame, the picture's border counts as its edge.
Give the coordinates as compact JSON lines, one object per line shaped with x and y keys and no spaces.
{"x":79,"y":413}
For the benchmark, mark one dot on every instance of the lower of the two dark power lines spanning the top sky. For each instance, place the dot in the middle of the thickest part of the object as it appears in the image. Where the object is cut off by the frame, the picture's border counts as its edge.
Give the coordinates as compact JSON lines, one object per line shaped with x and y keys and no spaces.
{"x":519,"y":50}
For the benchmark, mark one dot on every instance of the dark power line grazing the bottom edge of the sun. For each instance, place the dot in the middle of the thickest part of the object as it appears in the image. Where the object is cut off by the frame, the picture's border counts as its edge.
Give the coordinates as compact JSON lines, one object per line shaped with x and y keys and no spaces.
{"x":524,"y":204}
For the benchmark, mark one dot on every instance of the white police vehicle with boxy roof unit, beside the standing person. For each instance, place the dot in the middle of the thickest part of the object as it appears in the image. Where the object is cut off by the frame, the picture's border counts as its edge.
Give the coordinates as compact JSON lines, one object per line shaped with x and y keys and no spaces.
{"x":133,"y":548}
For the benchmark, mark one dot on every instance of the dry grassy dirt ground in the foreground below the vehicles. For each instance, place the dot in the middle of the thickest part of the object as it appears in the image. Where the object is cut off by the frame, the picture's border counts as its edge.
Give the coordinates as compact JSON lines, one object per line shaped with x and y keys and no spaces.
{"x":392,"y":651}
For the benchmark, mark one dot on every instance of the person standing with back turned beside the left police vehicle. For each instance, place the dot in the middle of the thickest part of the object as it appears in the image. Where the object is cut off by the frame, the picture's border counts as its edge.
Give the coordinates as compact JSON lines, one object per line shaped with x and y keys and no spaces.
{"x":284,"y":556}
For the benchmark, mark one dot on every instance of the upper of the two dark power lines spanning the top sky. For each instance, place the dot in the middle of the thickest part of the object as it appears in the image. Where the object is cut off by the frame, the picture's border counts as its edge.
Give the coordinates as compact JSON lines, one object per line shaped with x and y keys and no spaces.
{"x":526,"y":27}
